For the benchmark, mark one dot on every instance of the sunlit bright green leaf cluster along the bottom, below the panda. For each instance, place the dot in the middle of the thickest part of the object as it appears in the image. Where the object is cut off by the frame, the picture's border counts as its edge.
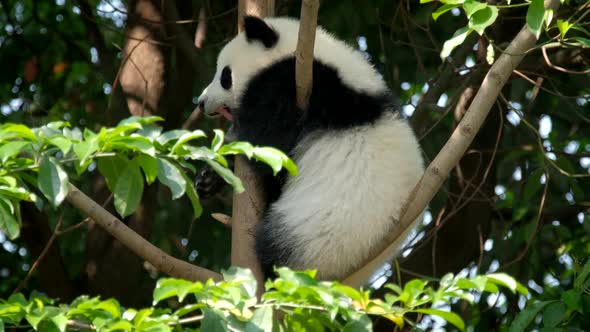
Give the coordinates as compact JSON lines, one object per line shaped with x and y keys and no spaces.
{"x":294,"y":301}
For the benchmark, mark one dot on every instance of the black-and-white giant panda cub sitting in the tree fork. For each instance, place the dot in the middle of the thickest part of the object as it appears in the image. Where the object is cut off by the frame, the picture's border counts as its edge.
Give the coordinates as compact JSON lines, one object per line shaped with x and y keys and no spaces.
{"x":358,"y":159}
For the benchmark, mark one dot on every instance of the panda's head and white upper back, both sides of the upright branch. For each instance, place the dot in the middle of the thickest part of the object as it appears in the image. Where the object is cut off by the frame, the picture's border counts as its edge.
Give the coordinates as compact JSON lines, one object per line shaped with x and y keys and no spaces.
{"x":264,"y":42}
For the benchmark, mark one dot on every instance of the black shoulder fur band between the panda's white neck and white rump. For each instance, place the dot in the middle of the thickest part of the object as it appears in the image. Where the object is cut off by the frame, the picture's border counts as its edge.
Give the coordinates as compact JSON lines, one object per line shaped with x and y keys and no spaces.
{"x":268,"y":114}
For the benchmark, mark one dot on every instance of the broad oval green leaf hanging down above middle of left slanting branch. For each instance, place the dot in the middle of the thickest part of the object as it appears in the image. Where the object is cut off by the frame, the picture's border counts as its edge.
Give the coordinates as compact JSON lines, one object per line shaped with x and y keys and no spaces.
{"x":129,"y":189}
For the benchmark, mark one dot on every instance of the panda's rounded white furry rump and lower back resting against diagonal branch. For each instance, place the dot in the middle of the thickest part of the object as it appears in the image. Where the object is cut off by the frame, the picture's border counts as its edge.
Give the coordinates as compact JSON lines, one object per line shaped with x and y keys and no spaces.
{"x":351,"y":185}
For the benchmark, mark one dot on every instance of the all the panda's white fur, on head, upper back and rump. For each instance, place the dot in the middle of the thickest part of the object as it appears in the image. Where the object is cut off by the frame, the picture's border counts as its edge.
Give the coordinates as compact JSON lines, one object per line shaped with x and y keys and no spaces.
{"x":352,"y":180}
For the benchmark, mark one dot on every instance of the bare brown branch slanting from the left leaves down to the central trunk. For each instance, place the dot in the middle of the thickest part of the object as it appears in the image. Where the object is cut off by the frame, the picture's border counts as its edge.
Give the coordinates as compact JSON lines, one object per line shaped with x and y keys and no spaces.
{"x":162,"y":261}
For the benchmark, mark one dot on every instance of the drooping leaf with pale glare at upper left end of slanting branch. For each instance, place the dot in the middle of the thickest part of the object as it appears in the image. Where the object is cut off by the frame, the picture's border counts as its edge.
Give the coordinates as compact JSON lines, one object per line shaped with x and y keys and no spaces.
{"x":52,"y":180}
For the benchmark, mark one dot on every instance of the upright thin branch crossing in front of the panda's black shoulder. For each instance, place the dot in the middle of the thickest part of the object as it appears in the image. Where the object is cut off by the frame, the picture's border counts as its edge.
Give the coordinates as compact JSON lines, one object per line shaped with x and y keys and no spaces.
{"x":304,"y":51}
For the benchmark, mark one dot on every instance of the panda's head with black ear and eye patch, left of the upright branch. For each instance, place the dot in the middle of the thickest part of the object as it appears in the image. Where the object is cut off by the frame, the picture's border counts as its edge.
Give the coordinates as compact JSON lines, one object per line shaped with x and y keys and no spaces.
{"x":261,"y":44}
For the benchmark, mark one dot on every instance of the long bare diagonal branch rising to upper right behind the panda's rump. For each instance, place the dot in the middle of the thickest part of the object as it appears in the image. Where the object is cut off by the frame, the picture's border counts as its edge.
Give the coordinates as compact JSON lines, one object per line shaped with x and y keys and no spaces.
{"x":450,"y":154}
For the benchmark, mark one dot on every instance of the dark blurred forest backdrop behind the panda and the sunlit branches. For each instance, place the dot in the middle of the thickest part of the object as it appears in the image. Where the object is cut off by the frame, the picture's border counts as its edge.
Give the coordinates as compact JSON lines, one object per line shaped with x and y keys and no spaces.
{"x":517,"y":203}
